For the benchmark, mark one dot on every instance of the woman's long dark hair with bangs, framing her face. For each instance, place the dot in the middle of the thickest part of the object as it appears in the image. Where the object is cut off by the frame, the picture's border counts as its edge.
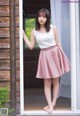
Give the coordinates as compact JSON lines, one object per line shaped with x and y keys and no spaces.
{"x":45,"y":12}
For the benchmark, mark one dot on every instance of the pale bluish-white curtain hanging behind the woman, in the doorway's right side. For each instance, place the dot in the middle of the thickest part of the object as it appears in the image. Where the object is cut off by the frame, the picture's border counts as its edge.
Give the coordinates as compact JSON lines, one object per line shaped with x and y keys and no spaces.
{"x":61,"y":19}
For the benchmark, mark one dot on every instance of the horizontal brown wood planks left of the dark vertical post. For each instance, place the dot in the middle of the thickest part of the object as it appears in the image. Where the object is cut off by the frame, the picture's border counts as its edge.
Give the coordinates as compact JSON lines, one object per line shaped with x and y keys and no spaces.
{"x":4,"y":43}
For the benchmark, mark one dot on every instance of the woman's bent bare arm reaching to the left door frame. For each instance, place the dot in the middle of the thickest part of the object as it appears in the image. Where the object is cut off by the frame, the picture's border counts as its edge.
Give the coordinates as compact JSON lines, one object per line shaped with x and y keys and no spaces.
{"x":32,"y":41}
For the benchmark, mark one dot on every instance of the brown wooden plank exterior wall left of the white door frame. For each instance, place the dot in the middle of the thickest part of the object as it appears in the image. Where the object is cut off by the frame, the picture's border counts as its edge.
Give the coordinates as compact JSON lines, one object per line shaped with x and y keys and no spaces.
{"x":7,"y":37}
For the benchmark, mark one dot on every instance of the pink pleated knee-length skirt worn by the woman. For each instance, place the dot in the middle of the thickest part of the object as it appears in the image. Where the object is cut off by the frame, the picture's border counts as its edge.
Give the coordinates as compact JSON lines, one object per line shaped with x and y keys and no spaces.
{"x":52,"y":63}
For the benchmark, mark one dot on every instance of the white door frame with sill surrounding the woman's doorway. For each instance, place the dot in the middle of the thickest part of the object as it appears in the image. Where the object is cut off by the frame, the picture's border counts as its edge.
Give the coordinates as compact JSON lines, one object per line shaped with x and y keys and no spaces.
{"x":73,"y":110}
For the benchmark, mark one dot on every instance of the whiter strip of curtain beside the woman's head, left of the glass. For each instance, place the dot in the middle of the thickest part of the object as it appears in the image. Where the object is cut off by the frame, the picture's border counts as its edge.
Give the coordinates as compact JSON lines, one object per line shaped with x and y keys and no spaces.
{"x":56,"y":14}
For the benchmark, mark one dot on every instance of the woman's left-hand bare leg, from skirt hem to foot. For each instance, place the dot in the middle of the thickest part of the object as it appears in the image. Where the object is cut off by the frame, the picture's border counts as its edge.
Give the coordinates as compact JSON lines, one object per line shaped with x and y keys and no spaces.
{"x":47,"y":91}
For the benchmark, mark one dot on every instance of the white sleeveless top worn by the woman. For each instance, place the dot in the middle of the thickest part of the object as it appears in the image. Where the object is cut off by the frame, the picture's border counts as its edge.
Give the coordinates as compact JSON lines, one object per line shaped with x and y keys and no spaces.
{"x":46,"y":39}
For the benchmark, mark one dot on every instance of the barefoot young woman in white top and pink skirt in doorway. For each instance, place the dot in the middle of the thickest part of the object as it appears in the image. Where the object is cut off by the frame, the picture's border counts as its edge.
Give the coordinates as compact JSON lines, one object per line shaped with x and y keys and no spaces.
{"x":52,"y":60}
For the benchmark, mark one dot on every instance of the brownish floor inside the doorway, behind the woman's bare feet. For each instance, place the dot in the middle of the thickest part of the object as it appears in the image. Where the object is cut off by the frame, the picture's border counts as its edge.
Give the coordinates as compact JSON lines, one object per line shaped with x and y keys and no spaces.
{"x":34,"y":99}
